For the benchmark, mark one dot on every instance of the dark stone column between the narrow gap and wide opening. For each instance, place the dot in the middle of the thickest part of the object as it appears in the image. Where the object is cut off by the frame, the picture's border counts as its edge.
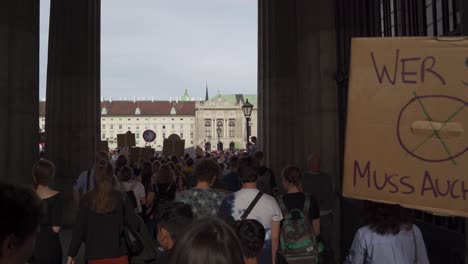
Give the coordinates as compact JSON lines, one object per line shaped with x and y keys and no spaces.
{"x":73,"y":90}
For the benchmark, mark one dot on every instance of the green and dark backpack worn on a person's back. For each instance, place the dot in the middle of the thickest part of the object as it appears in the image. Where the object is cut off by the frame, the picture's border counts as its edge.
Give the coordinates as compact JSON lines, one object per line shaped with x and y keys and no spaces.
{"x":298,"y":244}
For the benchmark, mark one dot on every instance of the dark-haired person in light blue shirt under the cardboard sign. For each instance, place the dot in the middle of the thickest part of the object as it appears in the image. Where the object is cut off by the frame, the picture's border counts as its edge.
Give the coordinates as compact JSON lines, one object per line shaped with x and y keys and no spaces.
{"x":388,"y":237}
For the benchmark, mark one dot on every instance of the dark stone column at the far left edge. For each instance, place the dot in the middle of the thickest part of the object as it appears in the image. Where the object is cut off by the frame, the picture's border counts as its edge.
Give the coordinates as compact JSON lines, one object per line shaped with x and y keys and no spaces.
{"x":19,"y":84}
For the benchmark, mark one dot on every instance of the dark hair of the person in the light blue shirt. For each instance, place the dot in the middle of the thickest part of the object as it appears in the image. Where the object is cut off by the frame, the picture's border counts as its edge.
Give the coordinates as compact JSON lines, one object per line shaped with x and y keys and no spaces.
{"x":385,"y":218}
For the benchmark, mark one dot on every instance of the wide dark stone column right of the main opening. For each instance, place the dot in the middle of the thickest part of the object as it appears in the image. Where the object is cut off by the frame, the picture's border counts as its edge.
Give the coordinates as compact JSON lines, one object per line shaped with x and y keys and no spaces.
{"x":298,"y":95}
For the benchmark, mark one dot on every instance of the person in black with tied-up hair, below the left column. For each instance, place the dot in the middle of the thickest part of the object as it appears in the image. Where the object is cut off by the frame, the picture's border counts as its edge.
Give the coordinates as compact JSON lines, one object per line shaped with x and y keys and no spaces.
{"x":47,"y":248}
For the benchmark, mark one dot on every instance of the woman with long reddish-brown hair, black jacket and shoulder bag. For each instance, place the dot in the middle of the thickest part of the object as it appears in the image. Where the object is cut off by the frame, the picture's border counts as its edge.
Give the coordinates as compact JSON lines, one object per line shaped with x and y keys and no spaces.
{"x":101,"y":218}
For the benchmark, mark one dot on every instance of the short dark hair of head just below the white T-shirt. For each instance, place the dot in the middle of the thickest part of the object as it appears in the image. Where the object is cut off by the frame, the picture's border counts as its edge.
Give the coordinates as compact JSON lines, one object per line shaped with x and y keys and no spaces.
{"x":251,"y":235}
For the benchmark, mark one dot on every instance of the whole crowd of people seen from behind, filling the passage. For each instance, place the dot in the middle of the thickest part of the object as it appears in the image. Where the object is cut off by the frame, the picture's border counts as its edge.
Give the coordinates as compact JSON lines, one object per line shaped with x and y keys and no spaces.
{"x":200,"y":210}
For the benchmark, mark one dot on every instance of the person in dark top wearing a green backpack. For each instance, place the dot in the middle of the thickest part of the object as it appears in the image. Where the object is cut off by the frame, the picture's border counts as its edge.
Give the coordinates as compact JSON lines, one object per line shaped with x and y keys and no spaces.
{"x":301,"y":224}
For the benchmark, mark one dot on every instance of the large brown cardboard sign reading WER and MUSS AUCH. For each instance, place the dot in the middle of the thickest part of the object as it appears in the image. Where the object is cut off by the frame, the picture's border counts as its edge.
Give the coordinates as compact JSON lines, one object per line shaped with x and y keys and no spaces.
{"x":407,"y":124}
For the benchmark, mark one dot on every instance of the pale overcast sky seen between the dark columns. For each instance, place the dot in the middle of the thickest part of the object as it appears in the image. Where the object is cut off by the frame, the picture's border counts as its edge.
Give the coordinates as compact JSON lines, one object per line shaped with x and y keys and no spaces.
{"x":162,"y":47}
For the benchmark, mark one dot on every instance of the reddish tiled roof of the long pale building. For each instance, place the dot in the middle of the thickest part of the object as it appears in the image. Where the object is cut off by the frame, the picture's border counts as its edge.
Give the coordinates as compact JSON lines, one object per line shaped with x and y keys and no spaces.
{"x":156,"y":108}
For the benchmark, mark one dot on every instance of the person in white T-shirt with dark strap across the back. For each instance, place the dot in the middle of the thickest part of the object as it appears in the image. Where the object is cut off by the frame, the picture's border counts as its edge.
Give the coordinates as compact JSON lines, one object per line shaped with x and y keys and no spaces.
{"x":250,"y":203}
